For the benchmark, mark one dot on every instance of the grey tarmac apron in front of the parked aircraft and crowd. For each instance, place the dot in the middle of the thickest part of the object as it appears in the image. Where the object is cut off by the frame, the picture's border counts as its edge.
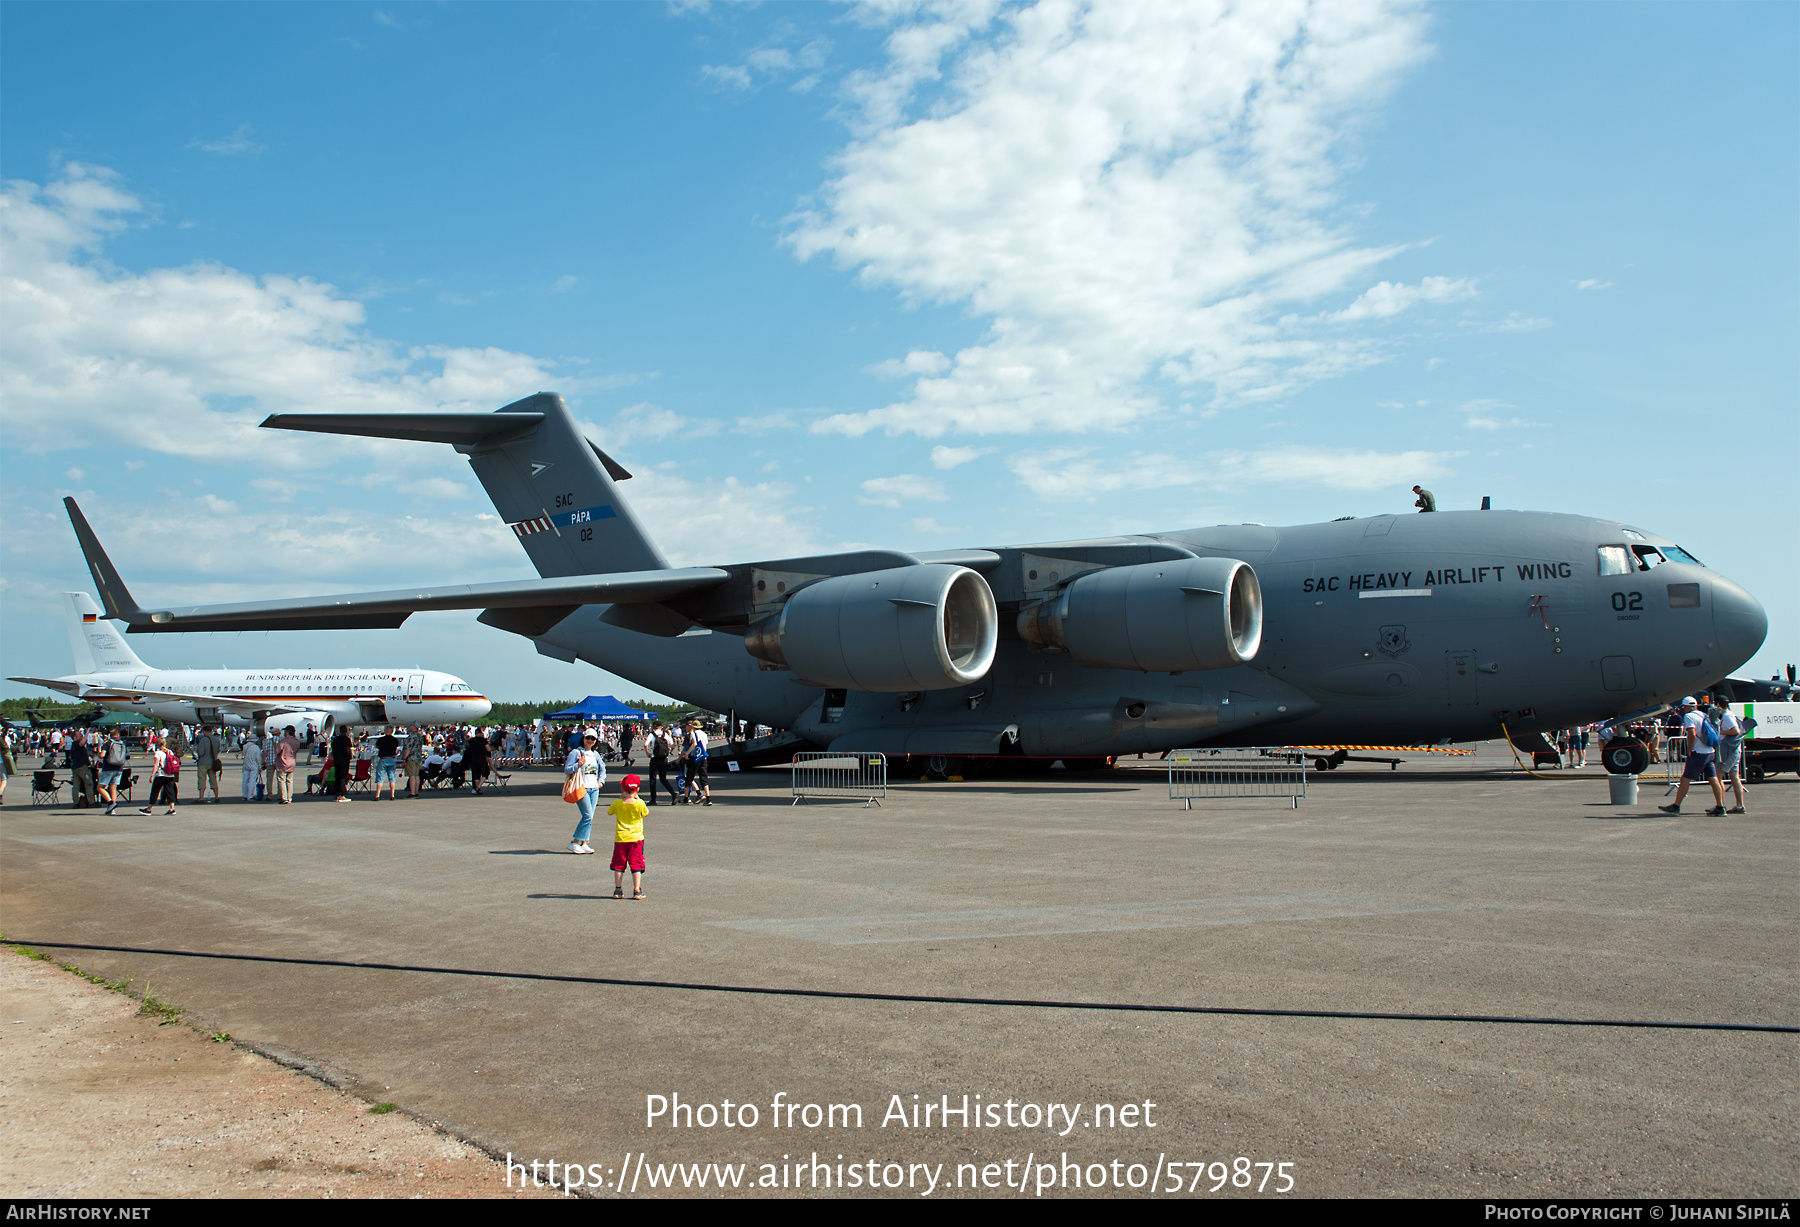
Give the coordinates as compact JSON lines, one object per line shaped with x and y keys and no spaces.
{"x":1450,"y":886}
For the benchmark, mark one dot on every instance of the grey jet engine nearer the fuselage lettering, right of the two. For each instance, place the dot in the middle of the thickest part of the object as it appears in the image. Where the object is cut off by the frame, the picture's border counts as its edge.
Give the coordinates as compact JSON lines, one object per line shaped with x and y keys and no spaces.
{"x":1158,"y":618}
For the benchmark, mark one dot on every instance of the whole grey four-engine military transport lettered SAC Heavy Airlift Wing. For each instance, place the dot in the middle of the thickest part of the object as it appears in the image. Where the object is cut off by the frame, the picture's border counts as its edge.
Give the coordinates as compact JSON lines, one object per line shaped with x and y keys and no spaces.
{"x":1394,"y":629}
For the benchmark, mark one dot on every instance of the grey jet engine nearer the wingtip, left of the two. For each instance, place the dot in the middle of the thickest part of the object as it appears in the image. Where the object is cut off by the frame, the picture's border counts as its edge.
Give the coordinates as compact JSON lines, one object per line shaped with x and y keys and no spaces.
{"x":910,"y":629}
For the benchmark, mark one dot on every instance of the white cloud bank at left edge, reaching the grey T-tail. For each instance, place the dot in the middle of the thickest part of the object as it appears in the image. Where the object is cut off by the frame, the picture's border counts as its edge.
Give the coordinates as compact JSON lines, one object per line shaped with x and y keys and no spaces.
{"x":190,"y":361}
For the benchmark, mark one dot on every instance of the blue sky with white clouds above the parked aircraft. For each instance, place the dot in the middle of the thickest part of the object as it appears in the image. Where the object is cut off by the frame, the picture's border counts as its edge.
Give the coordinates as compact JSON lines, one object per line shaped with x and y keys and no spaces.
{"x":903,"y":274}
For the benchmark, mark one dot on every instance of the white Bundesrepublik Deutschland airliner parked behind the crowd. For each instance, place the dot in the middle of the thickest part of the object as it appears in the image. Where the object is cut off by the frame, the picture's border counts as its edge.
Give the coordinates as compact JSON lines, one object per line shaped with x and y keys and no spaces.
{"x":109,"y":674}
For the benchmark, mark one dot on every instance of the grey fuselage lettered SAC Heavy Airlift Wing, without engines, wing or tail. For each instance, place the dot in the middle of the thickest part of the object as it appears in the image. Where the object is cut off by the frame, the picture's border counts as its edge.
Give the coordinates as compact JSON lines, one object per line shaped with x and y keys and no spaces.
{"x":1392,"y":629}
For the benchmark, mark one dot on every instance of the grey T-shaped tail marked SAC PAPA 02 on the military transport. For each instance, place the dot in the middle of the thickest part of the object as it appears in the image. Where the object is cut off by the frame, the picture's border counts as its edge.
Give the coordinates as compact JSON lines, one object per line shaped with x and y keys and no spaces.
{"x":555,"y":490}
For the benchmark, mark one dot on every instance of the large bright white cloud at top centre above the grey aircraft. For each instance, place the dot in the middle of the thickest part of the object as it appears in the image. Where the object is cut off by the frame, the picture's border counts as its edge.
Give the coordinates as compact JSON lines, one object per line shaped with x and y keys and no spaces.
{"x":1126,"y":192}
